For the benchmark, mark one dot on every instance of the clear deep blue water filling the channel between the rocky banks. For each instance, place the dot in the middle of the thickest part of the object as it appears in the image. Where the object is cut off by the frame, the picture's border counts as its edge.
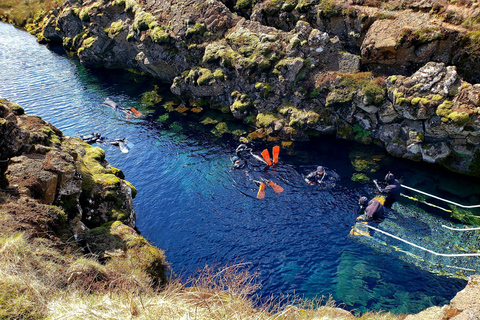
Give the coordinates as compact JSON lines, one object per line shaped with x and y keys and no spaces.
{"x":192,"y":205}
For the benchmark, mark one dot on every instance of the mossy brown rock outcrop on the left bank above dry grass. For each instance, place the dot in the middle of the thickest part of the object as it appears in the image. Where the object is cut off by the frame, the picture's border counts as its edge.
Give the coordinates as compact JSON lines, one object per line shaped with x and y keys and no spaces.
{"x":57,"y":187}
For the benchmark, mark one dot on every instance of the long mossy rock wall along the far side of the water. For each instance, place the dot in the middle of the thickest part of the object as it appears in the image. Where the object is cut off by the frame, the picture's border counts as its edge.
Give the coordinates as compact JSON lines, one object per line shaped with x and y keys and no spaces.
{"x":293,"y":69}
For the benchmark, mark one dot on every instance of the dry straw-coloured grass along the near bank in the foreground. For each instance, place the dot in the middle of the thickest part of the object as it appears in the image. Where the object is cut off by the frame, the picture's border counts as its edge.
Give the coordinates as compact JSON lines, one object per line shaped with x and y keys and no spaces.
{"x":39,"y":282}
